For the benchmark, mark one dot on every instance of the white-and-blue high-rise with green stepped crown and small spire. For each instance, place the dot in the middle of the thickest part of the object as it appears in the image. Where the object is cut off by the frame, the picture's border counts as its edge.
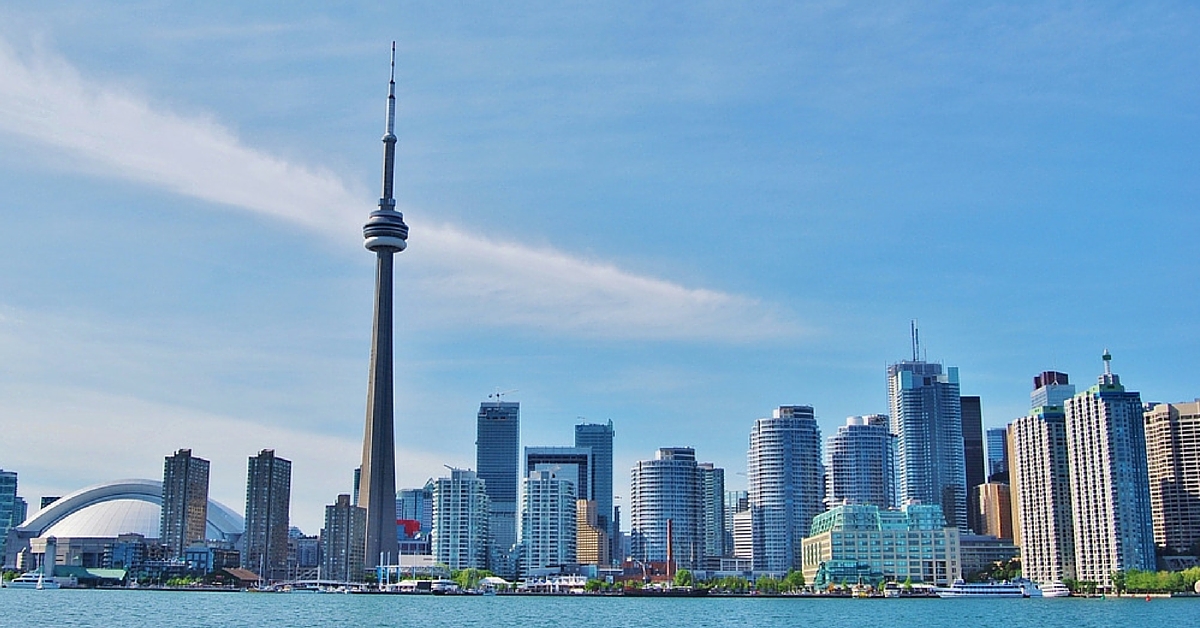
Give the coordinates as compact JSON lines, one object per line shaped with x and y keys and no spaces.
{"x":1109,"y":481}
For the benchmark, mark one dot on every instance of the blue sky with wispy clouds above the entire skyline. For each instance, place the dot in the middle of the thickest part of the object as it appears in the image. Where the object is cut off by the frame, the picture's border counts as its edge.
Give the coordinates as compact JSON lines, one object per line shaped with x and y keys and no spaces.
{"x":676,"y":218}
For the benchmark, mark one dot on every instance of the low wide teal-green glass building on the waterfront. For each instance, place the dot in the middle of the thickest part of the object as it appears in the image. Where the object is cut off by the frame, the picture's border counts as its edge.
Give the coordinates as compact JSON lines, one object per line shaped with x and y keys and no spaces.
{"x":866,"y":545}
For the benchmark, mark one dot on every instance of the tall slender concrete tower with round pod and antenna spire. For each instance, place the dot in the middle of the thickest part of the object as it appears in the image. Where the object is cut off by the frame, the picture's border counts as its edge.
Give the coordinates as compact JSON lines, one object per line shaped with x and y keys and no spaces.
{"x":386,"y":235}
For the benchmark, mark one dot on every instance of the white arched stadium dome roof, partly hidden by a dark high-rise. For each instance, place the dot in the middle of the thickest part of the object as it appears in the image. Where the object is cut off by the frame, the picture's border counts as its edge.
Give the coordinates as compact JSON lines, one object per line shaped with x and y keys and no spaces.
{"x":115,"y":509}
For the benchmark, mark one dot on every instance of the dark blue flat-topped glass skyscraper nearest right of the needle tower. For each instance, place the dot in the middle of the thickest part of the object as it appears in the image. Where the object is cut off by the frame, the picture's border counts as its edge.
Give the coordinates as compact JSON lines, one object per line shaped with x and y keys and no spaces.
{"x":499,"y":464}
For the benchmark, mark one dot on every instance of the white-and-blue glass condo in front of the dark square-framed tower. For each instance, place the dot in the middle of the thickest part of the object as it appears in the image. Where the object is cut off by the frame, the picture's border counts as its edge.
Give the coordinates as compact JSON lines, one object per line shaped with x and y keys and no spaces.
{"x":549,"y":515}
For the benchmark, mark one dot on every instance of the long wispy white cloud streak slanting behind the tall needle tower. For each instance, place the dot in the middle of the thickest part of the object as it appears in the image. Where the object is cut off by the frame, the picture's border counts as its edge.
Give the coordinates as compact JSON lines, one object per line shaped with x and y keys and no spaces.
{"x":464,"y":278}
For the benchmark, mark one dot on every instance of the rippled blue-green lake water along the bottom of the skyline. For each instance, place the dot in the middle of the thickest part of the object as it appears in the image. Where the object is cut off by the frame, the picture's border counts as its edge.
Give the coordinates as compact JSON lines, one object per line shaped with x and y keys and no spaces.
{"x":27,"y":609}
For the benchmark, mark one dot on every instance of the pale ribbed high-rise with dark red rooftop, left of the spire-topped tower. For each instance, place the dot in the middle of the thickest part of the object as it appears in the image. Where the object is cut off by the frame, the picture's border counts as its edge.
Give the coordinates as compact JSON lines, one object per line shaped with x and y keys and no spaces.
{"x":1040,"y":483}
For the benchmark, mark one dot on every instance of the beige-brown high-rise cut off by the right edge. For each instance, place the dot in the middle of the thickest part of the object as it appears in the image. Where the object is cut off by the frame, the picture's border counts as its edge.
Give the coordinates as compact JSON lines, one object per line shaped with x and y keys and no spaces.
{"x":1173,"y":447}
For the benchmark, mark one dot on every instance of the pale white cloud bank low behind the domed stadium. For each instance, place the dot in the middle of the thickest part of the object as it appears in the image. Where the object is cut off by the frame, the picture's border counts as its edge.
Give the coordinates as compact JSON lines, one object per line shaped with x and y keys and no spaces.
{"x":116,"y":436}
